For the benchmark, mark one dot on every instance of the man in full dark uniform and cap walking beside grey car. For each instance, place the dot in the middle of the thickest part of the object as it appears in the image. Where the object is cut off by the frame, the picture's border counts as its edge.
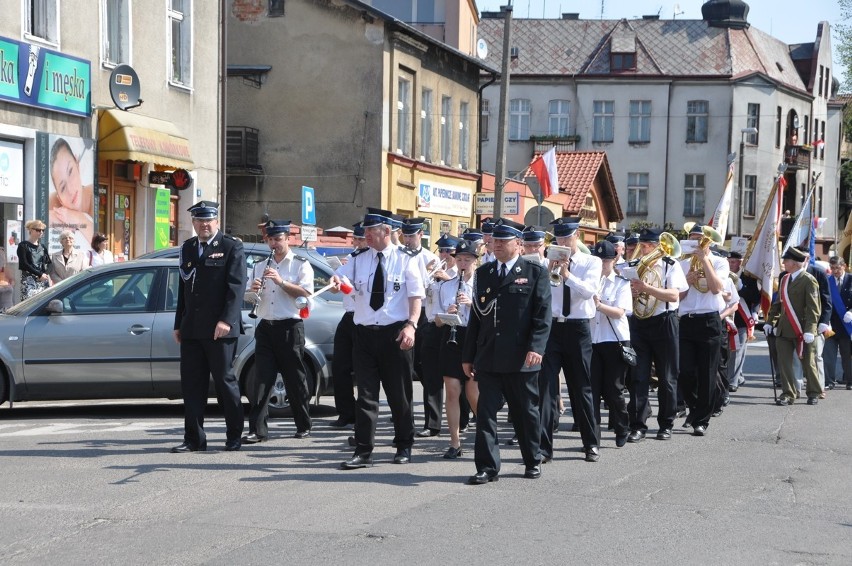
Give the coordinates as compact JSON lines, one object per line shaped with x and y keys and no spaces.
{"x":208,"y":321}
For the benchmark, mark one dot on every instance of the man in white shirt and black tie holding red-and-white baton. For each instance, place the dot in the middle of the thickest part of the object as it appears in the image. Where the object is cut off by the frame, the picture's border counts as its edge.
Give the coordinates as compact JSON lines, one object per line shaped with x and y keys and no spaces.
{"x":388,"y":291}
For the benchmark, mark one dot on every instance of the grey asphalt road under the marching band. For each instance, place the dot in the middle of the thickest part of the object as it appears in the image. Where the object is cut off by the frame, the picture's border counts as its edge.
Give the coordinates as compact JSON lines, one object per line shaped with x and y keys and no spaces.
{"x":96,"y":484}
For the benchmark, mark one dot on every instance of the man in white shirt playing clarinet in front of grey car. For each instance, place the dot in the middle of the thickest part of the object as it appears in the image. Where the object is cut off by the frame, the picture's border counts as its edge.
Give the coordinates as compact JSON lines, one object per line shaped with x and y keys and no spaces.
{"x":280,"y":335}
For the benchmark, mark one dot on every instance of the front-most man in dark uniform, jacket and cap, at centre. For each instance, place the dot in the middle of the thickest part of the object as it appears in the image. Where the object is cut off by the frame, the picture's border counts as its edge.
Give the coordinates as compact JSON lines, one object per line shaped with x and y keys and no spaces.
{"x":505,"y":341}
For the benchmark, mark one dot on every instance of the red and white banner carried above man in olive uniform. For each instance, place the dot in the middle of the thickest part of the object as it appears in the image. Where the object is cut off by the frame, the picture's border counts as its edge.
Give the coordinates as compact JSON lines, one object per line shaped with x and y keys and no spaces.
{"x":762,"y":260}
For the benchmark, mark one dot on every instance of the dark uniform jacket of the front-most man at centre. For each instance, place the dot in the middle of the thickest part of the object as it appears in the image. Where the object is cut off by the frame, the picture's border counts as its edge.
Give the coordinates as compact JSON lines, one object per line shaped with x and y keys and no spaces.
{"x":522,"y":322}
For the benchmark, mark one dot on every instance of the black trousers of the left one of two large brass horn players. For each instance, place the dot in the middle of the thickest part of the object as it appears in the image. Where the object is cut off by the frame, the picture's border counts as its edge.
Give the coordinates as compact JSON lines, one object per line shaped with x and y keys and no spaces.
{"x":655,"y":339}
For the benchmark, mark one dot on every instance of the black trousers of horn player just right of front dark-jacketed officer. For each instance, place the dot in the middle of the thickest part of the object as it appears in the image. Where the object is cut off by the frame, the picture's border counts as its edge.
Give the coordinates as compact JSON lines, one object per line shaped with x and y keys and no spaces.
{"x":569,"y":348}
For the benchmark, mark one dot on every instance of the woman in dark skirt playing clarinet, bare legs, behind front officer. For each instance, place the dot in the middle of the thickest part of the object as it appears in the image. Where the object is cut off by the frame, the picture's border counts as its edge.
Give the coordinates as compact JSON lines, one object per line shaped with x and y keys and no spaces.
{"x":454,"y":297}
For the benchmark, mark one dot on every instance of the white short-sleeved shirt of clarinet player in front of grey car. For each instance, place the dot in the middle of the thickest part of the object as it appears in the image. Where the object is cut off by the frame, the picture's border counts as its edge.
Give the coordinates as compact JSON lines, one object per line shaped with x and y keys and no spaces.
{"x":275,"y":302}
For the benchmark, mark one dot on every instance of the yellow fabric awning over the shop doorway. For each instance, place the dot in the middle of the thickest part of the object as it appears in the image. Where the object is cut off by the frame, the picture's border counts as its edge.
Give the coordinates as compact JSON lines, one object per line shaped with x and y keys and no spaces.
{"x":125,"y":135}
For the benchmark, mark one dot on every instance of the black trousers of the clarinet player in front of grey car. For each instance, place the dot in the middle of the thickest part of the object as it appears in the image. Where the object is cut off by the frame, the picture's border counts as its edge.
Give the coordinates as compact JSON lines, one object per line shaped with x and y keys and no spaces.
{"x":279,"y":348}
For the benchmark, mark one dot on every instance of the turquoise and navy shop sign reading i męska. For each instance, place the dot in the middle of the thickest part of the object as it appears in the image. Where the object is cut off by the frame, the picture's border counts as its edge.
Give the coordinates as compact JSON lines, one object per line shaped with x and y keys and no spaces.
{"x":40,"y":77}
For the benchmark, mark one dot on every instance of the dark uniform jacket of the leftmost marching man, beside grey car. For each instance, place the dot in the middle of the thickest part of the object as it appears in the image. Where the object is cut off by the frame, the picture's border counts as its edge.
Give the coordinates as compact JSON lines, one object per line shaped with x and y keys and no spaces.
{"x":214,"y":287}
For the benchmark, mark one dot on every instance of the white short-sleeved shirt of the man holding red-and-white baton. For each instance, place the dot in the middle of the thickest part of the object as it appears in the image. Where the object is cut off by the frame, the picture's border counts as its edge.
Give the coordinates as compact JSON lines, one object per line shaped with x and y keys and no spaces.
{"x":402,"y":280}
